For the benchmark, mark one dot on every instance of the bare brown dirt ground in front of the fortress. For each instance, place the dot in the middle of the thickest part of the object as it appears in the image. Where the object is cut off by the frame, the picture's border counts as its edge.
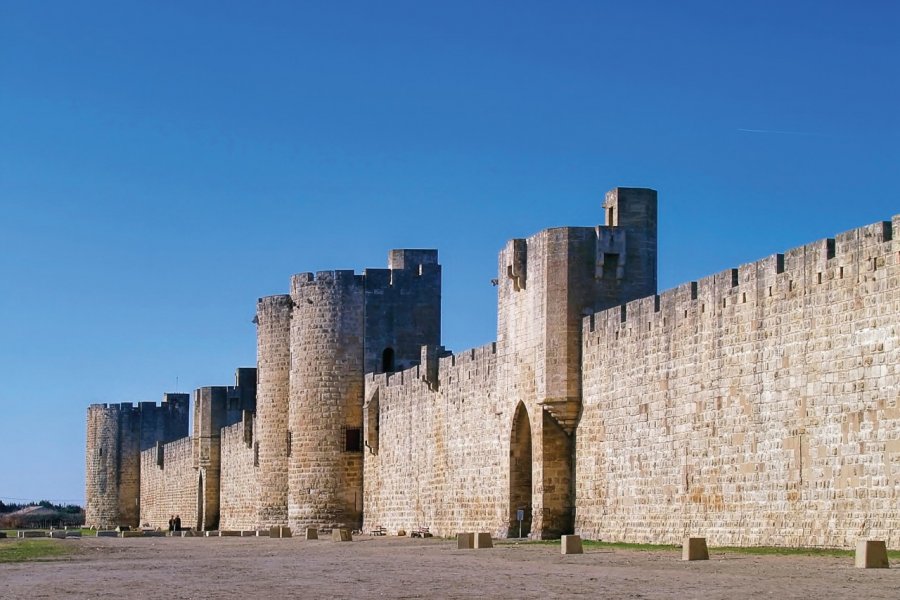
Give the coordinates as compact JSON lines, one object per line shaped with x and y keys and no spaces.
{"x":150,"y":568}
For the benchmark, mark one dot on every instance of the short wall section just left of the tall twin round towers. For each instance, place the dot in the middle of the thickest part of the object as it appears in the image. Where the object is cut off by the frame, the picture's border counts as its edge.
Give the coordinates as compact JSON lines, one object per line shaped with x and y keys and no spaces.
{"x":240,"y":489}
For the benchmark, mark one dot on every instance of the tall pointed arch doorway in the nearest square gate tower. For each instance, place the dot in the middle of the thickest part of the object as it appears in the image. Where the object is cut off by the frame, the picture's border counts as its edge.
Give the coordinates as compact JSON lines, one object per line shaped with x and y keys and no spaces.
{"x":520,"y":474}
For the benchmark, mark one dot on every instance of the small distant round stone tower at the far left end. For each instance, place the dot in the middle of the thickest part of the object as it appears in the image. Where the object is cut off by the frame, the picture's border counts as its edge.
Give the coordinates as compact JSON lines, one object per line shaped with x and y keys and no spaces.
{"x":112,"y":474}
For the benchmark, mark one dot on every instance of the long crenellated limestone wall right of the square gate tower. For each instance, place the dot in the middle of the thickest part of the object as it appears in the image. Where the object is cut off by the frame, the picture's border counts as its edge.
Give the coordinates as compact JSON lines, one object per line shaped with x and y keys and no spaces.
{"x":756,"y":406}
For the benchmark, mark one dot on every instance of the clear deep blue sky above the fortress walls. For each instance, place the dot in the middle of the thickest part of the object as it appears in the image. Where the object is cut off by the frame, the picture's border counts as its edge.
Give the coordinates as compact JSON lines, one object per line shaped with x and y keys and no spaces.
{"x":163,"y":164}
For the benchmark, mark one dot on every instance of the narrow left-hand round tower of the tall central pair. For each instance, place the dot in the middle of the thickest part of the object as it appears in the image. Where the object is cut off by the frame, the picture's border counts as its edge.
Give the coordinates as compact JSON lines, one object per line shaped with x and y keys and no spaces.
{"x":273,"y":339}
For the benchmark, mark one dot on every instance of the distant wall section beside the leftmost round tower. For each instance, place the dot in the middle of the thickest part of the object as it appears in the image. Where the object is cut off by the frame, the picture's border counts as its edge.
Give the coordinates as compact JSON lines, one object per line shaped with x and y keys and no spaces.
{"x":169,"y":483}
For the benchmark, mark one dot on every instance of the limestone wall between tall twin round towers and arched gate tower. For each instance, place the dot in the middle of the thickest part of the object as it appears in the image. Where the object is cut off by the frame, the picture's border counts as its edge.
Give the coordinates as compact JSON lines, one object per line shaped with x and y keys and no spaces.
{"x":437,"y":457}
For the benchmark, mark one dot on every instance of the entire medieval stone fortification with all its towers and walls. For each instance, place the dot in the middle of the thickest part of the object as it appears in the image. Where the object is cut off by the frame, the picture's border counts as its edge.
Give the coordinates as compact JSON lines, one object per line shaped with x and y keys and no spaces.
{"x":755,"y":406}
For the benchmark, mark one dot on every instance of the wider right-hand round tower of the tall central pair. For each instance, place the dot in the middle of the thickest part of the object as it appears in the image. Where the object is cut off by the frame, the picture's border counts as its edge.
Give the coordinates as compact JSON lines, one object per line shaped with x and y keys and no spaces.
{"x":326,"y":396}
